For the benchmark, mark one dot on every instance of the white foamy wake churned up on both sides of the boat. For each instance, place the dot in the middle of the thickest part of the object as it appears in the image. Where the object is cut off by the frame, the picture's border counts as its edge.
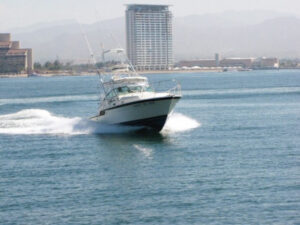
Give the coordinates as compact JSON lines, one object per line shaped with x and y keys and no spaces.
{"x":39,"y":121}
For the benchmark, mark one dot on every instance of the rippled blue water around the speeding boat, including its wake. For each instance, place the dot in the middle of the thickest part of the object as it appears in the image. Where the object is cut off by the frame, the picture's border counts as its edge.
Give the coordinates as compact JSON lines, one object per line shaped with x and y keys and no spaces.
{"x":229,"y":154}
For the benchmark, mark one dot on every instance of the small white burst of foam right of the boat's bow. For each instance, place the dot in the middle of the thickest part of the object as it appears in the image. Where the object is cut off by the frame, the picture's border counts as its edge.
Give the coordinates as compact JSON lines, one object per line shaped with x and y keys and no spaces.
{"x":178,"y":122}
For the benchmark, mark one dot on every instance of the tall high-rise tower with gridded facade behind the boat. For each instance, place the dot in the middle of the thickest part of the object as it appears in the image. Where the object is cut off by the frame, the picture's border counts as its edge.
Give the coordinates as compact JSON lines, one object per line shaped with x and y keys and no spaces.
{"x":149,"y":36}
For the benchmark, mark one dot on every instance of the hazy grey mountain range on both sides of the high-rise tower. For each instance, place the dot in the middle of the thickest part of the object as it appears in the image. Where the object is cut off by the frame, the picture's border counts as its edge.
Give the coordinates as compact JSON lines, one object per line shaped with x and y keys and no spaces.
{"x":231,"y":33}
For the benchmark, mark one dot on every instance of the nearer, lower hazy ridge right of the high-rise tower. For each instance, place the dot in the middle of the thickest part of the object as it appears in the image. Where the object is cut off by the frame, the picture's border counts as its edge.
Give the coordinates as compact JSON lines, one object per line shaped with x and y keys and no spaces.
{"x":279,"y":37}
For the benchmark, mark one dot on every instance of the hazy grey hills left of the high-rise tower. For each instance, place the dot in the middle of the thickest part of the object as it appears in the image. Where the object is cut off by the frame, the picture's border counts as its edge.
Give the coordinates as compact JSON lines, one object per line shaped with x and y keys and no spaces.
{"x":66,"y":41}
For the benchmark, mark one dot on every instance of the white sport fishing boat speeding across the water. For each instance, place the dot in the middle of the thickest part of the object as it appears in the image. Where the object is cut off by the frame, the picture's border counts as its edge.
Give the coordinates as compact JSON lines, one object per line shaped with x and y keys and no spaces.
{"x":130,"y":100}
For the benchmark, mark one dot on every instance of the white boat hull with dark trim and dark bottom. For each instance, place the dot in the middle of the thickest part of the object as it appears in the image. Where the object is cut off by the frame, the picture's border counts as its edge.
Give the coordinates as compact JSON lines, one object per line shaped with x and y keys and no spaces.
{"x":151,"y":113}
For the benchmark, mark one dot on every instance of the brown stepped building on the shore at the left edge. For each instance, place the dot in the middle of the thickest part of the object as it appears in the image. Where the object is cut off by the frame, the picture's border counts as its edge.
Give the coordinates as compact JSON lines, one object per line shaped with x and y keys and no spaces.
{"x":14,"y":59}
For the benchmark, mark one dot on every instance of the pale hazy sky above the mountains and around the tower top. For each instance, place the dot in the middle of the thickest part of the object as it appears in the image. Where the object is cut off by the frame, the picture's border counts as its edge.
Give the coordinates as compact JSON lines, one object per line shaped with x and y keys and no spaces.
{"x":19,"y":13}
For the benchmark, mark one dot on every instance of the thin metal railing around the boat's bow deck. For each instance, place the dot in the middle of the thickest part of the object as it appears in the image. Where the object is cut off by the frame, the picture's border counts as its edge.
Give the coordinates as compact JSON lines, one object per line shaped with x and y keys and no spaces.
{"x":167,"y":86}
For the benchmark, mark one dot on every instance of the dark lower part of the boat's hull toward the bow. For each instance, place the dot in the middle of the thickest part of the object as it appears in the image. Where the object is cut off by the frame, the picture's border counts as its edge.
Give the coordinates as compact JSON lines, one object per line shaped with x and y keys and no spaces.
{"x":156,"y":123}
